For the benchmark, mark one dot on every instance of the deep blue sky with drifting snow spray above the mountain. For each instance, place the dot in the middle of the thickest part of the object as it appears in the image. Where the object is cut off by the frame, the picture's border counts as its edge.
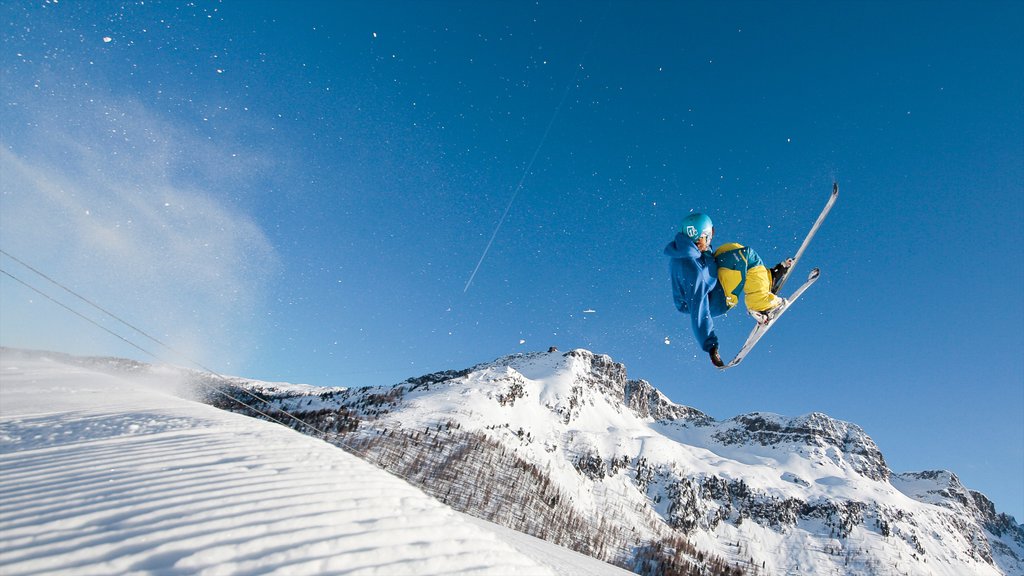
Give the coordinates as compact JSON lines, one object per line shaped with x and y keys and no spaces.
{"x":303,"y":191}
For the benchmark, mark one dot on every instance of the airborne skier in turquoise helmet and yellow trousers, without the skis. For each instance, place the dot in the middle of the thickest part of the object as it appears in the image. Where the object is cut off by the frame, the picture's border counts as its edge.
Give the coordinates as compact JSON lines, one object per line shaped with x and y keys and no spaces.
{"x":706,"y":284}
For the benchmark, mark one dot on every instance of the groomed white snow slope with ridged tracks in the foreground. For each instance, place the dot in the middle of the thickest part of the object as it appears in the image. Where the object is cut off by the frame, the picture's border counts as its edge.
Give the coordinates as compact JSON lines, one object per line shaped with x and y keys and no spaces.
{"x":116,"y":474}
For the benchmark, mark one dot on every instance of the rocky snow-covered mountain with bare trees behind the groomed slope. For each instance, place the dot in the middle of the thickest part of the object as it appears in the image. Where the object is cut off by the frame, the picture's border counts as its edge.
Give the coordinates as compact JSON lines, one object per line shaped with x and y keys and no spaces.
{"x":568,"y":448}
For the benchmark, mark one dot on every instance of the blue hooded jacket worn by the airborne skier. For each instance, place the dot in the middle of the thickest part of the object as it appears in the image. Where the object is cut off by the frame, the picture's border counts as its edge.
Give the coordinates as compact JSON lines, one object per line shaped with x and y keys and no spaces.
{"x":696,"y":289}
